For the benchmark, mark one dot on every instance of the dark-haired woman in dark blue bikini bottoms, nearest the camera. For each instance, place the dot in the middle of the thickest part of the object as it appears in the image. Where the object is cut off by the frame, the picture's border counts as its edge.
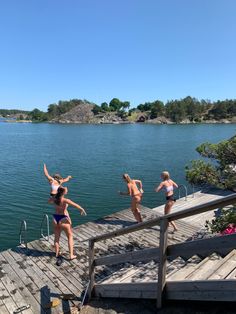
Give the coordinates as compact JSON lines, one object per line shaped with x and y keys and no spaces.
{"x":62,"y":221}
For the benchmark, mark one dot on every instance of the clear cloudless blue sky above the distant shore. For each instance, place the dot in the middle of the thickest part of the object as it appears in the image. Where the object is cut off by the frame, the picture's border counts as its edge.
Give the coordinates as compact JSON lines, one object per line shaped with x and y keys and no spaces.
{"x":134,"y":50}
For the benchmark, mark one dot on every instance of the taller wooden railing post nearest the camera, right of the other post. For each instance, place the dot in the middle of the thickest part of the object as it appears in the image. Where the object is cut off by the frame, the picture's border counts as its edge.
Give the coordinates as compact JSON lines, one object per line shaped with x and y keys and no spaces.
{"x":162,"y":262}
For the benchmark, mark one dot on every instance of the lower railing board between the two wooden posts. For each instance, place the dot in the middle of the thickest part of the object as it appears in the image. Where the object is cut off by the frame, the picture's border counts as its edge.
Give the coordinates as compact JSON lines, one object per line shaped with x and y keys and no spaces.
{"x":131,"y":257}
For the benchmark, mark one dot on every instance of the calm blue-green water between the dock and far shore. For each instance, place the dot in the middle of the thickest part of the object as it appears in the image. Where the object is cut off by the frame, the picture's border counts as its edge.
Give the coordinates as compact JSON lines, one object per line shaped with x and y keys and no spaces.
{"x":96,"y":156}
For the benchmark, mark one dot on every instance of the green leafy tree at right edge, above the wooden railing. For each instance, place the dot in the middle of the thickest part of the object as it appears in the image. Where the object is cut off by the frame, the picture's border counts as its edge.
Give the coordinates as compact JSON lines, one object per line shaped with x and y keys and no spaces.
{"x":220,"y":170}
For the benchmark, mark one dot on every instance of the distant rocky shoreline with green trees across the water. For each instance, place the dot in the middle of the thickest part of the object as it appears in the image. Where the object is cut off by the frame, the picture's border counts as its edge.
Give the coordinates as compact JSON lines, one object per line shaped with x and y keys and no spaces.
{"x":183,"y":111}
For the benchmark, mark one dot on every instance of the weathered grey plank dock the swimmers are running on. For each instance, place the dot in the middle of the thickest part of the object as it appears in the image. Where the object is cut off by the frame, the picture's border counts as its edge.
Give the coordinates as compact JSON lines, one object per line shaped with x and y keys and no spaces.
{"x":29,"y":276}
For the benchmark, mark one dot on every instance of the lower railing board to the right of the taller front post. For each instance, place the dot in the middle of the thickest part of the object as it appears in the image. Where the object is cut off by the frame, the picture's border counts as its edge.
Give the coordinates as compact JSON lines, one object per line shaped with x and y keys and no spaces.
{"x":219,"y":244}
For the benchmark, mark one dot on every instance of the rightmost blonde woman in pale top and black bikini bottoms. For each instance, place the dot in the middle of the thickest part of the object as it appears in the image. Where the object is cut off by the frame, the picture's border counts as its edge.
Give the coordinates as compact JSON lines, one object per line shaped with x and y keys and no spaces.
{"x":168,"y":185}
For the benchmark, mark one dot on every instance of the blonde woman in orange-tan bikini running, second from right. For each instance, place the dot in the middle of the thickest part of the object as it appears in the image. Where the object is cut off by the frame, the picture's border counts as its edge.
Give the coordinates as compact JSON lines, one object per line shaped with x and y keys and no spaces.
{"x":135,"y":193}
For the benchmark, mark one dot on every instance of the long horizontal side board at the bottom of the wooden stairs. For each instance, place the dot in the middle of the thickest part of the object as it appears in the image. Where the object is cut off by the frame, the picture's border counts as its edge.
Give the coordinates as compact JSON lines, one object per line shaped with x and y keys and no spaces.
{"x":201,"y":290}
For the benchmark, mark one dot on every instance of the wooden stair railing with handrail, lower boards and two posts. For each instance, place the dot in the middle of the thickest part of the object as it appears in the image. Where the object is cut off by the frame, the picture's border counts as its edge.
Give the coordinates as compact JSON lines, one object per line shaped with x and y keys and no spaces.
{"x":185,"y":249}
